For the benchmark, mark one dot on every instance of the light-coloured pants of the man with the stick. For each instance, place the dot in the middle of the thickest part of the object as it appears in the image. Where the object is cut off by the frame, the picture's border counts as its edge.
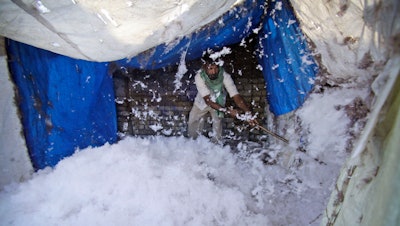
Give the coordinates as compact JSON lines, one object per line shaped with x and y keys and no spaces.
{"x":196,"y":122}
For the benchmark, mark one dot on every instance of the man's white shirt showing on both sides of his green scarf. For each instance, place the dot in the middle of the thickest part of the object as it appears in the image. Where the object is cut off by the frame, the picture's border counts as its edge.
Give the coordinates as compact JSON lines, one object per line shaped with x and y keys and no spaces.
{"x":203,"y":90}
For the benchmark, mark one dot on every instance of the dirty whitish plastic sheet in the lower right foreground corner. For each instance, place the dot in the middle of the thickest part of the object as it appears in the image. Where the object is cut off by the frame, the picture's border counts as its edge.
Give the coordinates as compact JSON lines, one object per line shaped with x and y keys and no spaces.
{"x":368,"y":188}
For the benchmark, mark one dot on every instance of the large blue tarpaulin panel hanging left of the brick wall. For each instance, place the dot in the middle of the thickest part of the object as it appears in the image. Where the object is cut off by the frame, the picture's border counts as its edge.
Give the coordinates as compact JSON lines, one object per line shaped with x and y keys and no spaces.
{"x":66,"y":104}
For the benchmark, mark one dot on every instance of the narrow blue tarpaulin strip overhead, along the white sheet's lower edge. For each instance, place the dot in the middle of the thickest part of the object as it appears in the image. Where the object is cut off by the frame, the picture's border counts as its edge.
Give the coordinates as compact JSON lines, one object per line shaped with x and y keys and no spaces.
{"x":231,"y":28}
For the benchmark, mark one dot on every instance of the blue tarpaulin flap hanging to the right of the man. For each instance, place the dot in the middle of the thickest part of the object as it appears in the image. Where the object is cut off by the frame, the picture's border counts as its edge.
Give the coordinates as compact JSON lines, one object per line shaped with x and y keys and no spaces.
{"x":288,"y":66}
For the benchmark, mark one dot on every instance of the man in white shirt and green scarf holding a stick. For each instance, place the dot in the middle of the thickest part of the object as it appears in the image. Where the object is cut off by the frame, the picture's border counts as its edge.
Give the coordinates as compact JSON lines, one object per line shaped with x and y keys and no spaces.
{"x":212,"y":84}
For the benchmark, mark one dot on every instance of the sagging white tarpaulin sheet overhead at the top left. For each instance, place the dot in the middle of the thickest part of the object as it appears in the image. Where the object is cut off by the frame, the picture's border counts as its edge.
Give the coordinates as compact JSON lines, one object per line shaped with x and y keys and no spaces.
{"x":97,"y":30}
